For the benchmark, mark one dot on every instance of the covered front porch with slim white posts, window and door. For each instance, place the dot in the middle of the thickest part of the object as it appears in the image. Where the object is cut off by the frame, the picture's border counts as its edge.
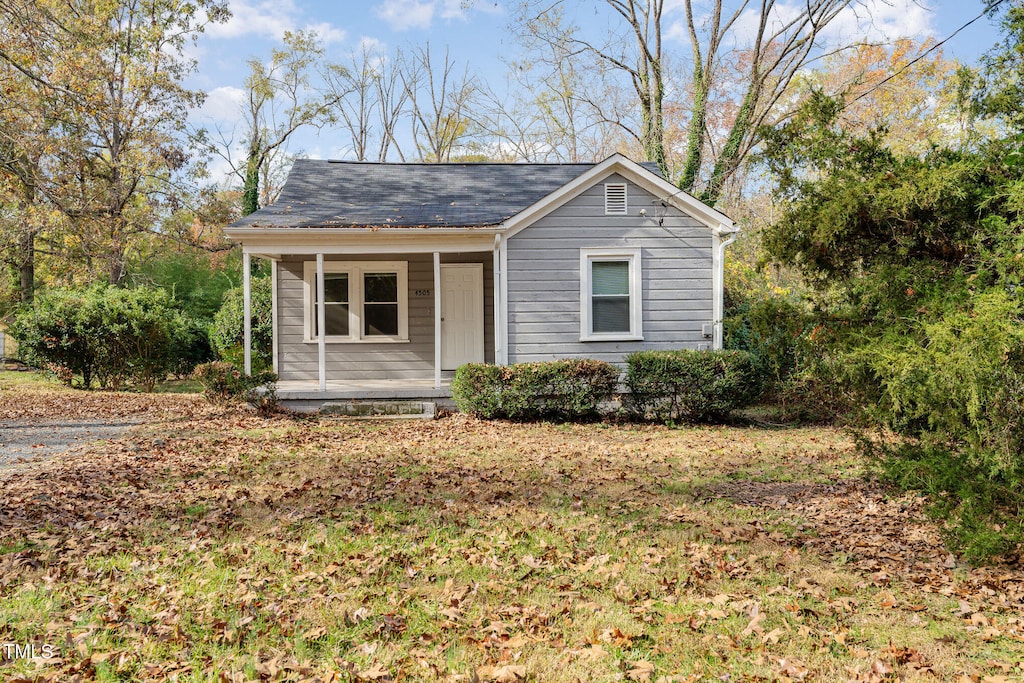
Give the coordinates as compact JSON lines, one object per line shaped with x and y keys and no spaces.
{"x":400,"y":317}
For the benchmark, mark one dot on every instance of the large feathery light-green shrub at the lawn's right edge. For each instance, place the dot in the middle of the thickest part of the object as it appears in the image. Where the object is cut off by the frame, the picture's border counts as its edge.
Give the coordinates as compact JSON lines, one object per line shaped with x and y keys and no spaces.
{"x":952,"y":390}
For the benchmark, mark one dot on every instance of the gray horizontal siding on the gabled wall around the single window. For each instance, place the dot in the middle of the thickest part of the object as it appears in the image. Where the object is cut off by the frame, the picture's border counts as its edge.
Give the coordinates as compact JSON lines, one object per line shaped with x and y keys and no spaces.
{"x":544,"y":277}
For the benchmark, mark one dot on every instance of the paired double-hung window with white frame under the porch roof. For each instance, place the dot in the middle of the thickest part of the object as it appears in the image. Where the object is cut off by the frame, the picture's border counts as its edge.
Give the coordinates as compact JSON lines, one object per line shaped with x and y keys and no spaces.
{"x":365,"y":302}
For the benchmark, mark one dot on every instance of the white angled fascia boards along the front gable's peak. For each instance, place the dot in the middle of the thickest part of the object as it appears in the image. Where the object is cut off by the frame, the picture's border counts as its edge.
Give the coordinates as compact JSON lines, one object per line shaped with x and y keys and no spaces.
{"x":632,"y":172}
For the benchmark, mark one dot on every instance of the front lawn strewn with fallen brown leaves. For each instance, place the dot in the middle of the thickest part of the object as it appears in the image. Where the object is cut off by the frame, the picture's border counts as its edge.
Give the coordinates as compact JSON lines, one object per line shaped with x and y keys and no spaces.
{"x":225,"y":547}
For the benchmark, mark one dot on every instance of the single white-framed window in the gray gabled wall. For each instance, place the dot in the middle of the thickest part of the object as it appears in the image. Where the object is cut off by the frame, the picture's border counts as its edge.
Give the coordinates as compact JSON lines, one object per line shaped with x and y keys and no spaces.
{"x":610,"y":295}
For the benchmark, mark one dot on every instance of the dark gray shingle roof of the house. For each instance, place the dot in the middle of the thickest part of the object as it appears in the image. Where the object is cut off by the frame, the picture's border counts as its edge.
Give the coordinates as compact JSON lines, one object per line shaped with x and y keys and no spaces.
{"x":330,"y":194}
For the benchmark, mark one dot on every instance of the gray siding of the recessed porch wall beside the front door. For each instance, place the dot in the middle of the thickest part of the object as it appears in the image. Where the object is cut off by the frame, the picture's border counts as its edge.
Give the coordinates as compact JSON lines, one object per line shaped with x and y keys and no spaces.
{"x":297,"y":360}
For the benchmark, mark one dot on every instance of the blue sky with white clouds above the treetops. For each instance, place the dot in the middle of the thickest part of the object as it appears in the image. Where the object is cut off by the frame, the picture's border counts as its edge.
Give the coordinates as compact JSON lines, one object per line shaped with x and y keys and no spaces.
{"x":478,"y":33}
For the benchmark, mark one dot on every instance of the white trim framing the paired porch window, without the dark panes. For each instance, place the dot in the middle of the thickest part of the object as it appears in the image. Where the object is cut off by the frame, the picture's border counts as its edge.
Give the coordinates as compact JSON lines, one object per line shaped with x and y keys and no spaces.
{"x":356,"y":271}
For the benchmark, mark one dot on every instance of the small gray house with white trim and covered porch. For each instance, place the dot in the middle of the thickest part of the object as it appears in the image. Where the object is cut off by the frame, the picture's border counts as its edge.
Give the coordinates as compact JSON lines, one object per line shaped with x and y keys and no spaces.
{"x":389,"y":277}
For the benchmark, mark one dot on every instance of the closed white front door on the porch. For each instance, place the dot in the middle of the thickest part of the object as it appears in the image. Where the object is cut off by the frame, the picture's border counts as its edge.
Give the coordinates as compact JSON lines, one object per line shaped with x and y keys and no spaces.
{"x":462,"y":315}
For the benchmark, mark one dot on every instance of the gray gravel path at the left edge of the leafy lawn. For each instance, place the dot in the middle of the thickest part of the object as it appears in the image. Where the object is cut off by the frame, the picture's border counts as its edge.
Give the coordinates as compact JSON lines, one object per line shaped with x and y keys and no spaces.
{"x":27,"y":442}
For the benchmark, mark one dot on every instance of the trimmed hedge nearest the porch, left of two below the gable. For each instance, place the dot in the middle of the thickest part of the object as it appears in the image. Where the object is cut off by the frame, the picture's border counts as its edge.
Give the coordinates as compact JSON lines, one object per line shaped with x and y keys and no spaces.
{"x":563,"y":390}
